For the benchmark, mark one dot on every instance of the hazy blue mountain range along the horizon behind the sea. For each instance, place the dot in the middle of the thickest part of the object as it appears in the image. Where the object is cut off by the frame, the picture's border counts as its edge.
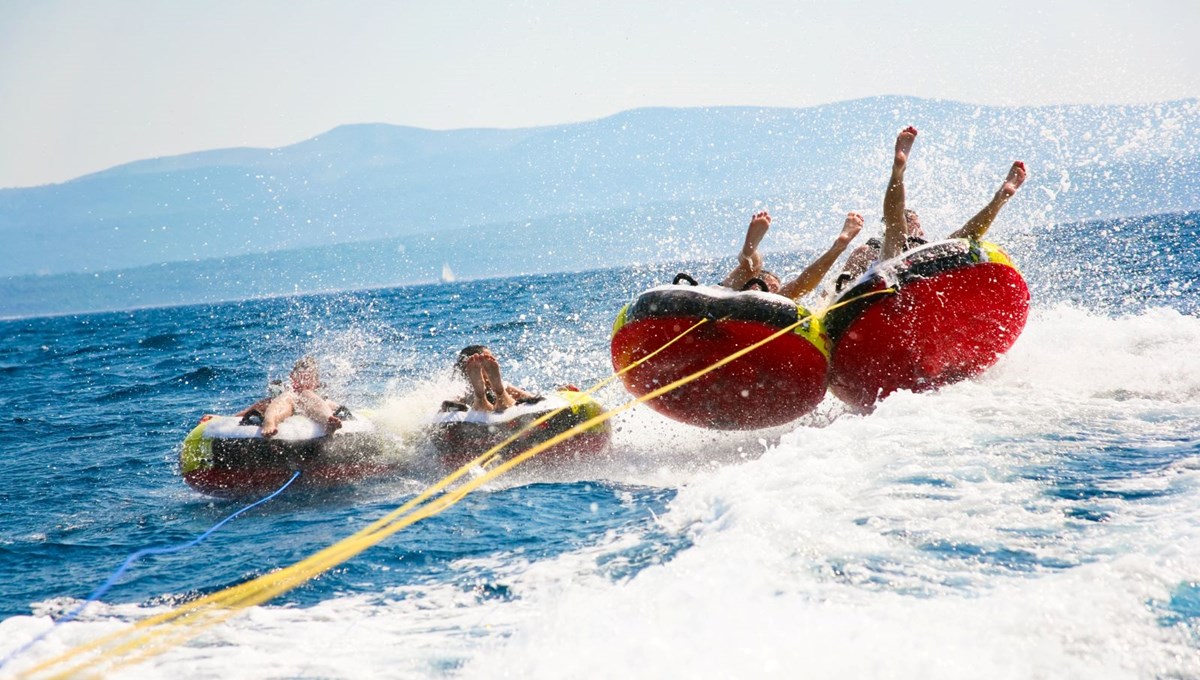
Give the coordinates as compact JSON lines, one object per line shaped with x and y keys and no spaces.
{"x":639,"y":186}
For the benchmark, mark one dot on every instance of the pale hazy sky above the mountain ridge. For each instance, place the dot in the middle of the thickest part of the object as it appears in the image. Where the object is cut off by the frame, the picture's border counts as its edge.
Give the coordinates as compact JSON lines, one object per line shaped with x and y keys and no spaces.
{"x":88,"y":86}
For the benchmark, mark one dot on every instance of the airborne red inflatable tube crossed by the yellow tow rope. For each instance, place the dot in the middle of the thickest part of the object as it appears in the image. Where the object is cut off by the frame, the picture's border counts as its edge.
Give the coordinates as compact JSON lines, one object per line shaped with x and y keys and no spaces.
{"x":773,"y":386}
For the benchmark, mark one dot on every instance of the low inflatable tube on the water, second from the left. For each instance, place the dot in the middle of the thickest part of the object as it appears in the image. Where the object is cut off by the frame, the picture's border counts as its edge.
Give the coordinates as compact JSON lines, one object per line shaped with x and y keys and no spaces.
{"x":460,"y":436}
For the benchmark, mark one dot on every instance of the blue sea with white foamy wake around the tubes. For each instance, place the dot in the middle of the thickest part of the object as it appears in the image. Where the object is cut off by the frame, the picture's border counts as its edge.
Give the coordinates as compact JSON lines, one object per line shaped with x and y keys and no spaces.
{"x":1041,"y":521}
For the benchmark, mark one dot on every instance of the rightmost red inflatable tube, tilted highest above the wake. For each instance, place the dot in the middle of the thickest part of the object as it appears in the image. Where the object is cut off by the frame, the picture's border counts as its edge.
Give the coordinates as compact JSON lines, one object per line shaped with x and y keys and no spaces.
{"x":958,"y":306}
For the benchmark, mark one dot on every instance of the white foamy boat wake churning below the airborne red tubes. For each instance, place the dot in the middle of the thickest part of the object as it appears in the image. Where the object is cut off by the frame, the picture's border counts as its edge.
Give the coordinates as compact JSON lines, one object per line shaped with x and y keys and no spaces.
{"x":933,"y":539}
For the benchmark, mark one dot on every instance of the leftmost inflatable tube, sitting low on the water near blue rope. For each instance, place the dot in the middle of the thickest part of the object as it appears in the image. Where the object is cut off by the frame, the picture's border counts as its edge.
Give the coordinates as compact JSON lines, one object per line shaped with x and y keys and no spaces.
{"x":229,"y":458}
